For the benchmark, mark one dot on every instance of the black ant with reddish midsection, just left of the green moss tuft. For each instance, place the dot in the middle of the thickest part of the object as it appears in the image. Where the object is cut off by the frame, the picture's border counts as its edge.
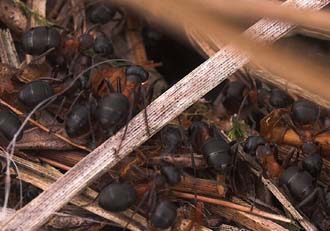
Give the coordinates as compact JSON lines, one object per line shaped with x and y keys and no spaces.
{"x":214,"y":148}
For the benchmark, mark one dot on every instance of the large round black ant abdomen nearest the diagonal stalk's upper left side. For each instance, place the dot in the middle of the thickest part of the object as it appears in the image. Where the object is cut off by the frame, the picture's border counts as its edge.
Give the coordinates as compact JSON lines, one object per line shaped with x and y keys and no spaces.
{"x":112,"y":111}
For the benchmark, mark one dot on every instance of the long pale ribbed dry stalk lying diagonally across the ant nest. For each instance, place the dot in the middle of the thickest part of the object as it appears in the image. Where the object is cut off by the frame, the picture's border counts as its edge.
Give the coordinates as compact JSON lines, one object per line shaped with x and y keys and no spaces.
{"x":164,"y":109}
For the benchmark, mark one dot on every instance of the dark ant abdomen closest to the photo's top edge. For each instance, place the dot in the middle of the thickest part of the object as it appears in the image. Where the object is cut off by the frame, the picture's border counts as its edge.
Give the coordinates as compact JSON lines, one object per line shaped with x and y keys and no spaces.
{"x":102,"y":13}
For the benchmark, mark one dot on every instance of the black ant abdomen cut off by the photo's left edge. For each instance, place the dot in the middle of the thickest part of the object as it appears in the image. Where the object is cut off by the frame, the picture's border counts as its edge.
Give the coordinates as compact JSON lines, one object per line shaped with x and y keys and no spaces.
{"x":9,"y":124}
